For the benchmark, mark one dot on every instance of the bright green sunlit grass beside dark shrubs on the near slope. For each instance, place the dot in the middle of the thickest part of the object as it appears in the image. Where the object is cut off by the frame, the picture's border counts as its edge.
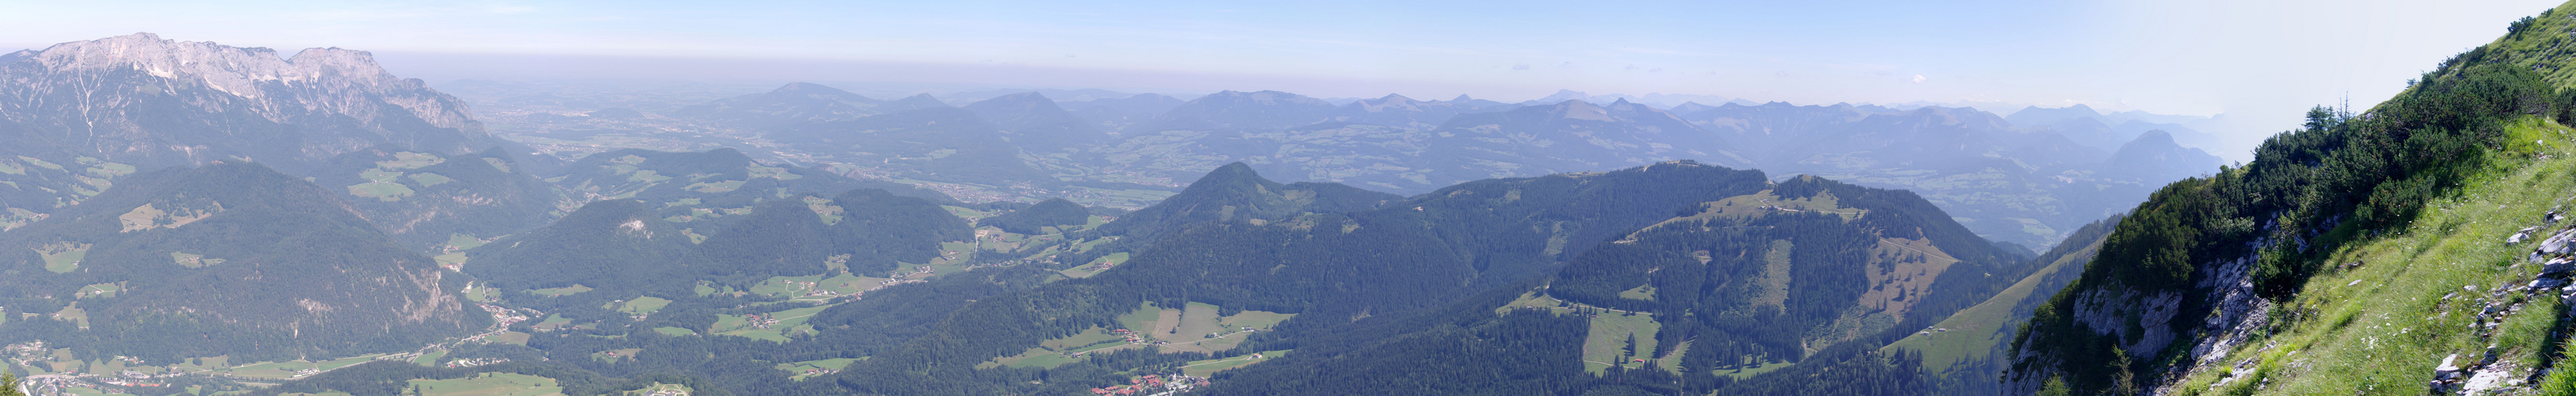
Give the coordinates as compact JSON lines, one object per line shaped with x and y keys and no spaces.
{"x":2387,"y":325}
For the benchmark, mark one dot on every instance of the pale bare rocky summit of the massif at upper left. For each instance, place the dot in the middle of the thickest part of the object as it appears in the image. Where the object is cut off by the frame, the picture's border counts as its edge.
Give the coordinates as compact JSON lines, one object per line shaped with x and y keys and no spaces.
{"x":151,"y":102}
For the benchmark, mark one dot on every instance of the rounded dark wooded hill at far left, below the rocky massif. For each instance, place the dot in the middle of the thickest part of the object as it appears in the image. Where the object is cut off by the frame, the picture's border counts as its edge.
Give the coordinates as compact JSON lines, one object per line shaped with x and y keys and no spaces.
{"x":233,"y":251}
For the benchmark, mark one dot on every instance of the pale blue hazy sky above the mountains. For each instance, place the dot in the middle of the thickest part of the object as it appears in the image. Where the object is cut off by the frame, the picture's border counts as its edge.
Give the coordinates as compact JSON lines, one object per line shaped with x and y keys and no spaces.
{"x":2255,"y":63}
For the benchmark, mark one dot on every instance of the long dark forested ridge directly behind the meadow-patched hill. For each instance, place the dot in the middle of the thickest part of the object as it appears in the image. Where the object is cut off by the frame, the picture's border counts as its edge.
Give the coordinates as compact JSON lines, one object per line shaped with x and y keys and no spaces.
{"x":1390,"y":261}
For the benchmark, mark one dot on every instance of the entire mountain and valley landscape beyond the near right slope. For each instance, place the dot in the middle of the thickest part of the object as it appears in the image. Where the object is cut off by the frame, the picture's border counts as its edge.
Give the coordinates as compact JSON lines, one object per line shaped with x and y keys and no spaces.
{"x":225,"y":212}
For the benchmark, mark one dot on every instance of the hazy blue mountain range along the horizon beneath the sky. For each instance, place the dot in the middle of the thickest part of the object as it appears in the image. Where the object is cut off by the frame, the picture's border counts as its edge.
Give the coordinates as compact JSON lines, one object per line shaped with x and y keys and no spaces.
{"x":2023,"y":179}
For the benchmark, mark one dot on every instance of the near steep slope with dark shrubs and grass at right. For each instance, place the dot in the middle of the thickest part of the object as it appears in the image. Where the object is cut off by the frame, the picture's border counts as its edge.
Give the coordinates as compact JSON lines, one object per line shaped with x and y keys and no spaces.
{"x":2387,"y":251}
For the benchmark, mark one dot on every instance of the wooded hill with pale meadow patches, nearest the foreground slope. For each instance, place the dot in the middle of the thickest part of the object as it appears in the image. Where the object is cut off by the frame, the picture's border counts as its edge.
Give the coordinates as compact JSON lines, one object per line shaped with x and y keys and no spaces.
{"x":1802,"y":279}
